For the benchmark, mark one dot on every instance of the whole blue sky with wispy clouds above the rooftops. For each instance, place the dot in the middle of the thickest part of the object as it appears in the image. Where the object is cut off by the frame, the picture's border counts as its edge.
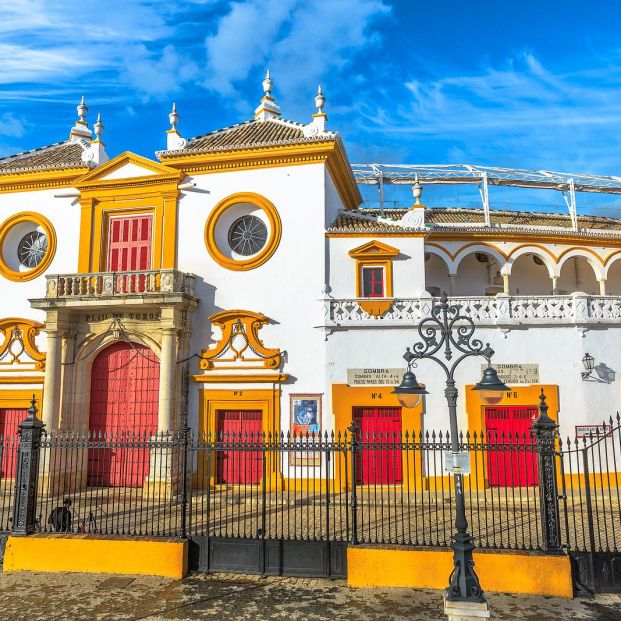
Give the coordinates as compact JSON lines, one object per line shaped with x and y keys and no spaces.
{"x":524,"y":84}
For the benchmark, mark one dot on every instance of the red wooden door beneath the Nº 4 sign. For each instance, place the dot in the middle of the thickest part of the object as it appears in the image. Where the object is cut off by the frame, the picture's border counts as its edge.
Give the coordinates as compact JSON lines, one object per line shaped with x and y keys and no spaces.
{"x":380,"y":429}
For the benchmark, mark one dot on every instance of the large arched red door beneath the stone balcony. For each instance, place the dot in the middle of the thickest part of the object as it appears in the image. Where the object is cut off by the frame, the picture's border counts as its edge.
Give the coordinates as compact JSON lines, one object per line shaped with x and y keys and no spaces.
{"x":123,"y":409}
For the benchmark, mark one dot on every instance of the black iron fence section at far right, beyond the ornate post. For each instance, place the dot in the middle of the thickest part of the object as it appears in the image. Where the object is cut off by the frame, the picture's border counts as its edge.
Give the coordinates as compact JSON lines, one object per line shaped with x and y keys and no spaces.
{"x":590,"y":468}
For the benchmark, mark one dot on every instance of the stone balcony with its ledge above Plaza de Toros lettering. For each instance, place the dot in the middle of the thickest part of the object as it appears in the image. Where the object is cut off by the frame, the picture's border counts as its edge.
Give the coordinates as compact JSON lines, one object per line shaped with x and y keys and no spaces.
{"x":114,"y":288}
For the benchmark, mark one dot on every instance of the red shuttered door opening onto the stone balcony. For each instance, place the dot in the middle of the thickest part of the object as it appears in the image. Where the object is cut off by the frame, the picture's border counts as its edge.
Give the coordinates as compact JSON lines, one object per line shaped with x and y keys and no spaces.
{"x":129,"y":250}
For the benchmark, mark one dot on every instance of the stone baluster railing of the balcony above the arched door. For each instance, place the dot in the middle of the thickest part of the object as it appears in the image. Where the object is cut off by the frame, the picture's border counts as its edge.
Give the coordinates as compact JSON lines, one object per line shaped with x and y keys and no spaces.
{"x":119,"y":284}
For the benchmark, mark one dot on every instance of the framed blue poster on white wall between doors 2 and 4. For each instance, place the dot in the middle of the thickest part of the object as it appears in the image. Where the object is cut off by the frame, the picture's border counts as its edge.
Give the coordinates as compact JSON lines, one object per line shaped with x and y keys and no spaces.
{"x":305,"y":428}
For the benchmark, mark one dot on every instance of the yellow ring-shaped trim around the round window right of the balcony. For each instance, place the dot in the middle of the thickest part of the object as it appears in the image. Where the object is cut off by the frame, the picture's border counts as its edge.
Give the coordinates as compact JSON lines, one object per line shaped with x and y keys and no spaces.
{"x":275,"y":232}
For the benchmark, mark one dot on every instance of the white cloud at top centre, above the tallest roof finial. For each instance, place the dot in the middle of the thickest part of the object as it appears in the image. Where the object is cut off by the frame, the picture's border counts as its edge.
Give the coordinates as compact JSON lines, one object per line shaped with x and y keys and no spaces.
{"x":302,"y":41}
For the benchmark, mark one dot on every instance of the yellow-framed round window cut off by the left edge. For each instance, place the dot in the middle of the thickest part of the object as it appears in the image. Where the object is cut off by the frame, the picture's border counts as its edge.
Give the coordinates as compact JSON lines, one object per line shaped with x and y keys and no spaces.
{"x":27,"y":246}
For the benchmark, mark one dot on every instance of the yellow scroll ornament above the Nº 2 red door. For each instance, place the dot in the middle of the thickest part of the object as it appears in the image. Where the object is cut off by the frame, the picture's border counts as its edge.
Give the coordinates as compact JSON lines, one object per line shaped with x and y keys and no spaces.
{"x":239,"y":346}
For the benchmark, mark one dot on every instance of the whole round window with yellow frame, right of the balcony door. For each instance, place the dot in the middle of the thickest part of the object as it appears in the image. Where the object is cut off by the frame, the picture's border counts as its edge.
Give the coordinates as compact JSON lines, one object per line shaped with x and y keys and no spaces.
{"x":243,"y":231}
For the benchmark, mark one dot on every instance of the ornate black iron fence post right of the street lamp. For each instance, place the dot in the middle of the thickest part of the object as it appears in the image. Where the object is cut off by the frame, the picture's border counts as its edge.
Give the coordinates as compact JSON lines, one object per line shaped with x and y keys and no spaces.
{"x":544,"y":430}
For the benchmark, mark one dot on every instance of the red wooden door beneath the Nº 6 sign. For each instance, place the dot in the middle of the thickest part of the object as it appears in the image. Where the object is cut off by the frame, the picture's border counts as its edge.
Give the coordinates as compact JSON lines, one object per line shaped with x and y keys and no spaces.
{"x":511,"y":459}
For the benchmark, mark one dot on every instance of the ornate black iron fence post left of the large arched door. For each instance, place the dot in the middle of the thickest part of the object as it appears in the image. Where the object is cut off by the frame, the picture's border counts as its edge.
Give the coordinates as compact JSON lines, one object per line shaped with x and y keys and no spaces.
{"x":26,"y":480}
